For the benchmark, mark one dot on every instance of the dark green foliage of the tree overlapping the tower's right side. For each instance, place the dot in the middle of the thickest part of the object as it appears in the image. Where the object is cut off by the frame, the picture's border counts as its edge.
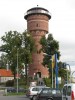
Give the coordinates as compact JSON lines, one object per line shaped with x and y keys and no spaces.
{"x":49,"y":46}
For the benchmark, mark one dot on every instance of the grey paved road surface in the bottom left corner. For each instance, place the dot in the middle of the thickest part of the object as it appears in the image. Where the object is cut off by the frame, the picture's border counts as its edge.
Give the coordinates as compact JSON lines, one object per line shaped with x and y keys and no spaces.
{"x":13,"y":98}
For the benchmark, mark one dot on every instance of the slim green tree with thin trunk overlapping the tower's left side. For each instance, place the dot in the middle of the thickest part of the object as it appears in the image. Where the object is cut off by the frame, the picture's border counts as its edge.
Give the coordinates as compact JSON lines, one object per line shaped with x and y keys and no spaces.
{"x":28,"y":47}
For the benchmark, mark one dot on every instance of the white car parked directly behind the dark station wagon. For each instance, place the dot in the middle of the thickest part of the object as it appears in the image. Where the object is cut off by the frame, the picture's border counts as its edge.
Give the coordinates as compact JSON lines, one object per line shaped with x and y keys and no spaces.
{"x":33,"y":91}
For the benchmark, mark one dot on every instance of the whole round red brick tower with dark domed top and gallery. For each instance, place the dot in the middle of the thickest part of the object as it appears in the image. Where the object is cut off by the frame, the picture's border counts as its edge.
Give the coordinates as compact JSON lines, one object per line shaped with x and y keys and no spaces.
{"x":37,"y":23}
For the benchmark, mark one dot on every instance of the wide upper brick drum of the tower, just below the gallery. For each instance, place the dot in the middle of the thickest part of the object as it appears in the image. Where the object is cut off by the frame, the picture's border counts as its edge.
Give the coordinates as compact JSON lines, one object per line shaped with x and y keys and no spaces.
{"x":35,"y":22}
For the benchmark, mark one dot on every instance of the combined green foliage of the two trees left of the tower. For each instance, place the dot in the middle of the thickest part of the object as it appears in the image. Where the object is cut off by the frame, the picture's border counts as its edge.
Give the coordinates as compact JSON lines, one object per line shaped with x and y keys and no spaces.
{"x":12,"y":45}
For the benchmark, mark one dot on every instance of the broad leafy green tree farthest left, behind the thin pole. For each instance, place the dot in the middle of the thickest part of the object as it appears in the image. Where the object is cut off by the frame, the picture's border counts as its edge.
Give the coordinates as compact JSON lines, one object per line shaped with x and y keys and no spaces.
{"x":11,"y":42}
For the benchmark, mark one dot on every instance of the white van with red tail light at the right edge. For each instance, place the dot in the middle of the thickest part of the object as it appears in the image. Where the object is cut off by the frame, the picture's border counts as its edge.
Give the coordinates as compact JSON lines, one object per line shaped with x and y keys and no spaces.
{"x":68,"y":92}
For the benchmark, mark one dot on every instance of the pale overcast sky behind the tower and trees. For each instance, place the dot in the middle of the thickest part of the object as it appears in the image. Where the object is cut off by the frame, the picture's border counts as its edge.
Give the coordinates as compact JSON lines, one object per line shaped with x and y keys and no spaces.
{"x":61,"y":25}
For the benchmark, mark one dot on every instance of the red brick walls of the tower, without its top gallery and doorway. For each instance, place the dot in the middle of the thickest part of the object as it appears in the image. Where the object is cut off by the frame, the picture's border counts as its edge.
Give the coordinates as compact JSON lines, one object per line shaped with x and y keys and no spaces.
{"x":38,"y":26}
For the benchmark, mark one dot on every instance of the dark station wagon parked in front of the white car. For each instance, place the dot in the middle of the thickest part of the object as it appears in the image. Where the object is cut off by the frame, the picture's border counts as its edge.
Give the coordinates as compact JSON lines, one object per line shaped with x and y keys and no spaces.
{"x":49,"y":94}
